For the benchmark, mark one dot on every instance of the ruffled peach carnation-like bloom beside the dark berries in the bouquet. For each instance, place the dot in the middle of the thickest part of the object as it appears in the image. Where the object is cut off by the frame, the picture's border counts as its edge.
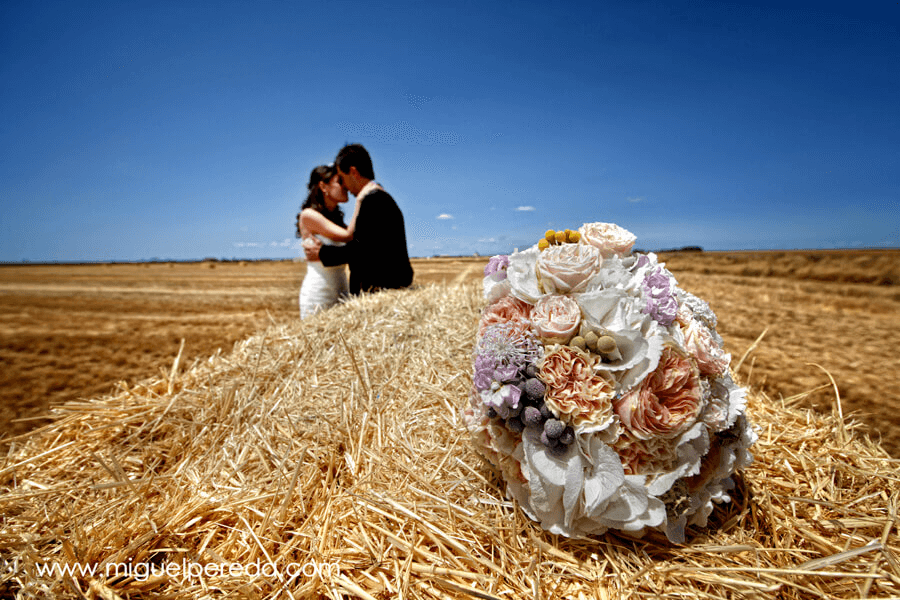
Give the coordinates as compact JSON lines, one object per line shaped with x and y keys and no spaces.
{"x":574,"y":391}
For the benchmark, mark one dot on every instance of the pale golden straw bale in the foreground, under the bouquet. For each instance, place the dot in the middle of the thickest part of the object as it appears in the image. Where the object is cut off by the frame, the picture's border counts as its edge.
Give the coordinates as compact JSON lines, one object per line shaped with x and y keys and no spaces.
{"x":333,"y":449}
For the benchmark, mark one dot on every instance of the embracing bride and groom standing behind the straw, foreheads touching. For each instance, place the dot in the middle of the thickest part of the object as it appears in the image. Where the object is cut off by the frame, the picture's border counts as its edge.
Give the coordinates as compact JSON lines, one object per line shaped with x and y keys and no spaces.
{"x":373,"y":245}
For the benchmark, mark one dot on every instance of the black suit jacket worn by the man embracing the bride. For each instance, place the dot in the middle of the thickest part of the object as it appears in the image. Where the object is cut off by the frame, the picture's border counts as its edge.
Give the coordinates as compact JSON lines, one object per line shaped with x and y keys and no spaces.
{"x":377,"y":255}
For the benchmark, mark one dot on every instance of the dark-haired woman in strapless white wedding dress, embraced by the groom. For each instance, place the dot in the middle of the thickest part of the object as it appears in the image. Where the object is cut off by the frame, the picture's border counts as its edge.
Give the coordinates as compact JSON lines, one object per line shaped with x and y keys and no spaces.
{"x":322,"y":218}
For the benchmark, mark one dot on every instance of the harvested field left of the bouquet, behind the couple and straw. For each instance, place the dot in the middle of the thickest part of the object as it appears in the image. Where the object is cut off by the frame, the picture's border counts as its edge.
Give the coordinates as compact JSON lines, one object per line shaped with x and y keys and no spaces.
{"x":74,"y":331}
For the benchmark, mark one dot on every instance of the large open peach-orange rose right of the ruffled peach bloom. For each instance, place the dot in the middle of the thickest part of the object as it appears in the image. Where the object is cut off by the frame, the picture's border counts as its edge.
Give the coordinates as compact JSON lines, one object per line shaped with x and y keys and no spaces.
{"x":667,"y":402}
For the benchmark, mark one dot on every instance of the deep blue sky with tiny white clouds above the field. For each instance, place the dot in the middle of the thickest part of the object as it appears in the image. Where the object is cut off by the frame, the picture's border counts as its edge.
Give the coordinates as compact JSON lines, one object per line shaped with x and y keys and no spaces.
{"x":185,"y":130}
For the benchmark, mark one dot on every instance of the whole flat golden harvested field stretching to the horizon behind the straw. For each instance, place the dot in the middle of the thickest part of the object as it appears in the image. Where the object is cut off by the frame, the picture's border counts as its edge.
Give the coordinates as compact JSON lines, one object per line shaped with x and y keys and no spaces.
{"x":72,"y":331}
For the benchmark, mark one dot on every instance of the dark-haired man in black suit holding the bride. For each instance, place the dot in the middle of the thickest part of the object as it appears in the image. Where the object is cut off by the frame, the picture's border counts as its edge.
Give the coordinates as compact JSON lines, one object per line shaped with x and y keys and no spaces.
{"x":377,"y":255}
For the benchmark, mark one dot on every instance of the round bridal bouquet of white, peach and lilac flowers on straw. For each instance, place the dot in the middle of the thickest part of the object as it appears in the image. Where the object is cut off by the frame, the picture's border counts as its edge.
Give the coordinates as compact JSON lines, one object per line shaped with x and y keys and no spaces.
{"x":601,"y":391}
